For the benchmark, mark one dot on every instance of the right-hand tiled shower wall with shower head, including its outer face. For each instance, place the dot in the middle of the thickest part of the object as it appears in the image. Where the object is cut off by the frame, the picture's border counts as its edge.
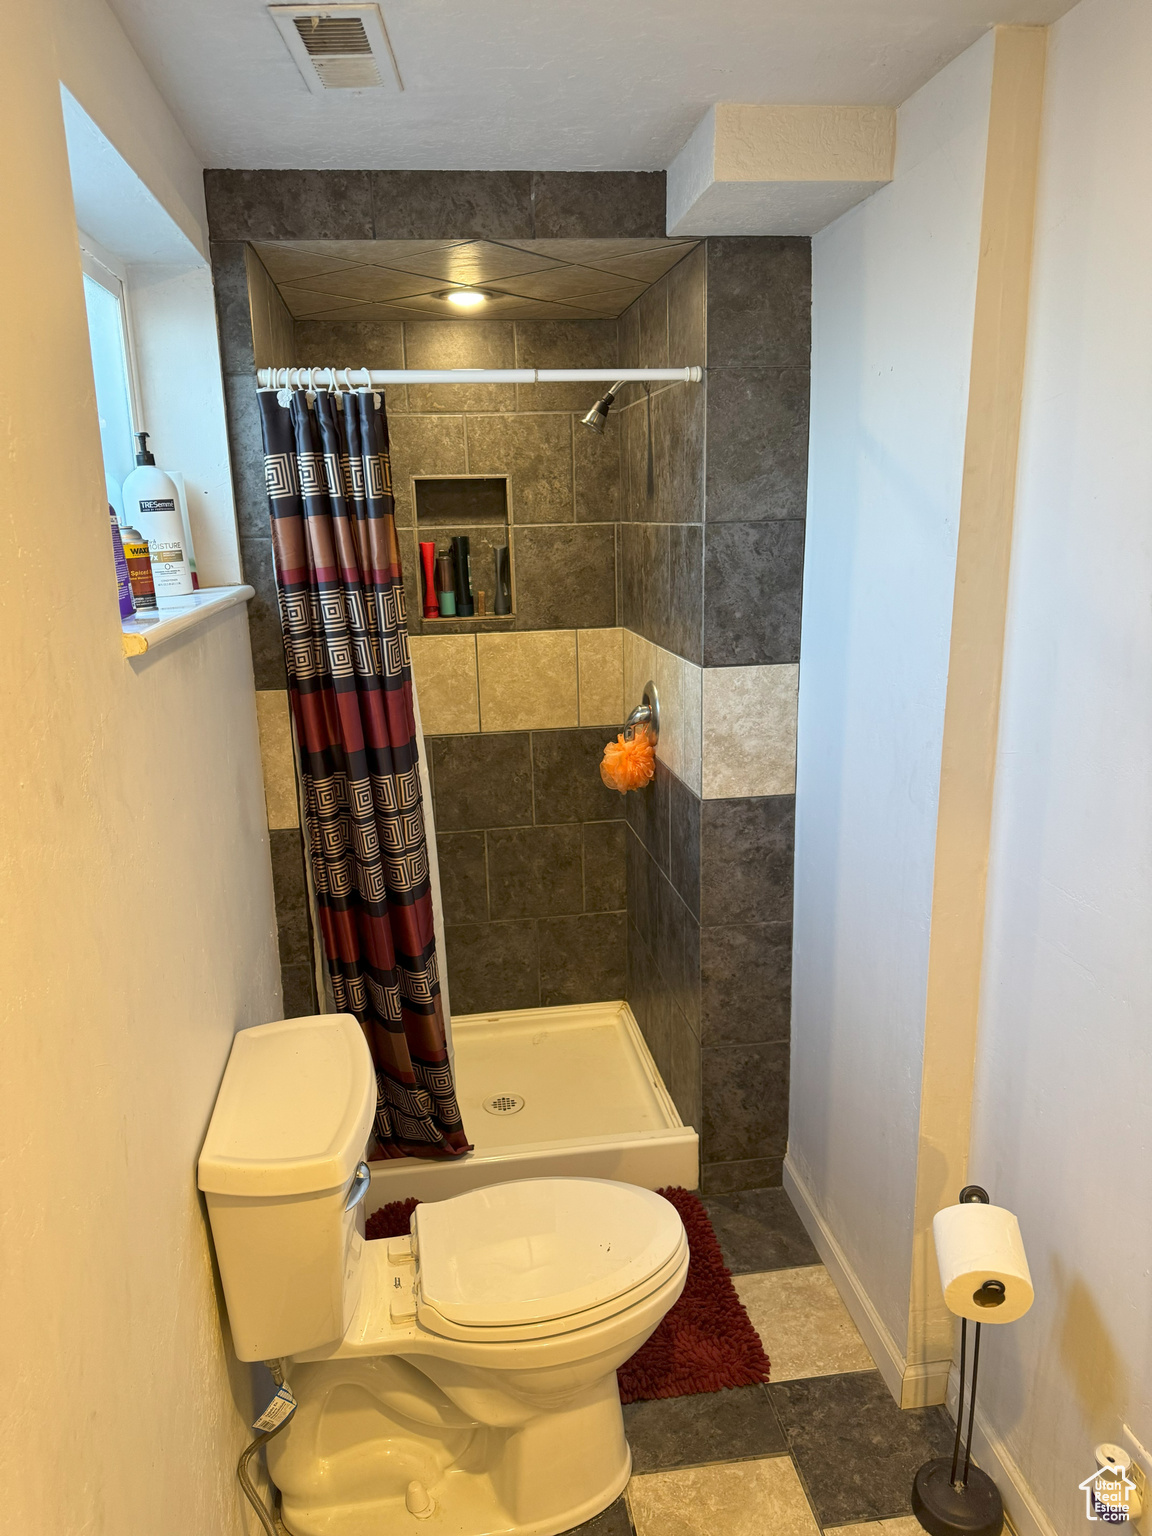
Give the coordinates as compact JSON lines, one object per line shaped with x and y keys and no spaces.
{"x":712,"y":560}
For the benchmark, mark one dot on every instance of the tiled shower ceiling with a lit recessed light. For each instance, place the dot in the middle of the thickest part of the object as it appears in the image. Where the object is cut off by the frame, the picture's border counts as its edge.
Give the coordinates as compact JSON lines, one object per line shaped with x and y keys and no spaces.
{"x":526,"y":279}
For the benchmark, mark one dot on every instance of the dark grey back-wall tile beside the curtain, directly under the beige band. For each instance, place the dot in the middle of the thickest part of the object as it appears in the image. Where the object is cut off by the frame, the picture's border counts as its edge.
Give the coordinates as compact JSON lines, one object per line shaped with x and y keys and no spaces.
{"x":482,"y":781}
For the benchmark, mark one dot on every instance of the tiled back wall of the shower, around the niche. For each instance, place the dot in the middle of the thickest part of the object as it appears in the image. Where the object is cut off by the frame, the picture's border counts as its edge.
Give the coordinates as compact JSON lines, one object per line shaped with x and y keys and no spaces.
{"x":529,"y":842}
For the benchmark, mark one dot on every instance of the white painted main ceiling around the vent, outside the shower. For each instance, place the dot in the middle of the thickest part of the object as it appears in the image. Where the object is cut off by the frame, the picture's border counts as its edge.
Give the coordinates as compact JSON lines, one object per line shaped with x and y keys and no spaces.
{"x":541,"y":85}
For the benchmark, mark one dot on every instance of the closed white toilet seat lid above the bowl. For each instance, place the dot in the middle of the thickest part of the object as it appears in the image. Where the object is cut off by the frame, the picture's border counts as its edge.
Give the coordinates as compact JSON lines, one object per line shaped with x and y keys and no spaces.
{"x":541,"y":1257}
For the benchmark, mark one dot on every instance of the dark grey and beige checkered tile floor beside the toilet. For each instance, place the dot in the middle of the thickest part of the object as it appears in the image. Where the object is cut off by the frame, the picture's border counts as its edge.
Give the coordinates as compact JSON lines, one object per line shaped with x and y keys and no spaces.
{"x":823,"y":1449}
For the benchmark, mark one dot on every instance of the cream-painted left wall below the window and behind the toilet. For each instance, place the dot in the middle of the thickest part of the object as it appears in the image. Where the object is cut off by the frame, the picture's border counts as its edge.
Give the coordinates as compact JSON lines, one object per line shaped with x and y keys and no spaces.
{"x":137,"y":933}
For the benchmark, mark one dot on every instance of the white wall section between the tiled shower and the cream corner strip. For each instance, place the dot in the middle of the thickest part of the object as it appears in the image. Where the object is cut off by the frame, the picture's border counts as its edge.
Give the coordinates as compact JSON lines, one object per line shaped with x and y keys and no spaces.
{"x":893,"y":306}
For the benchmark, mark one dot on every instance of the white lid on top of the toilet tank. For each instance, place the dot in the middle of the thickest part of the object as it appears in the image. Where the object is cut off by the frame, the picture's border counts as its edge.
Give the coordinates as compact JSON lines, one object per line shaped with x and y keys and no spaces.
{"x":294,"y":1111}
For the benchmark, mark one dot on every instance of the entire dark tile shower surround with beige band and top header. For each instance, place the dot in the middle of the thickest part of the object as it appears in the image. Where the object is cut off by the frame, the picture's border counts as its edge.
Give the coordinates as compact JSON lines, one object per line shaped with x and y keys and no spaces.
{"x":709,"y":563}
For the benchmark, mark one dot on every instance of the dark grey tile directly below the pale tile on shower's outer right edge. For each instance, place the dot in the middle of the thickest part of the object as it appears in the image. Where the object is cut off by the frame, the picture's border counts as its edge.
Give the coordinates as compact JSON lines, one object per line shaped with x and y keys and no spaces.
{"x":747,"y":861}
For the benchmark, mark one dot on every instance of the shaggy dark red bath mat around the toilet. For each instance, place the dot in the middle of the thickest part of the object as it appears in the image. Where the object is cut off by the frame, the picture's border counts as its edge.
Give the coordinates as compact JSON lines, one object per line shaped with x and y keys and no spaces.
{"x":707,"y":1342}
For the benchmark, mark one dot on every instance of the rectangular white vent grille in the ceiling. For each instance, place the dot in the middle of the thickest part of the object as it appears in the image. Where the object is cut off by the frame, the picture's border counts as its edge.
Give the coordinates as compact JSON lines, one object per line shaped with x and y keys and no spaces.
{"x":339,"y":47}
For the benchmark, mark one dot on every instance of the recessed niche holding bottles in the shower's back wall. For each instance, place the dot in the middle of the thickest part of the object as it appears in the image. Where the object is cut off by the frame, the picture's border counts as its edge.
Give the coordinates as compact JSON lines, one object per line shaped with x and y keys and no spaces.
{"x":474,"y":508}
